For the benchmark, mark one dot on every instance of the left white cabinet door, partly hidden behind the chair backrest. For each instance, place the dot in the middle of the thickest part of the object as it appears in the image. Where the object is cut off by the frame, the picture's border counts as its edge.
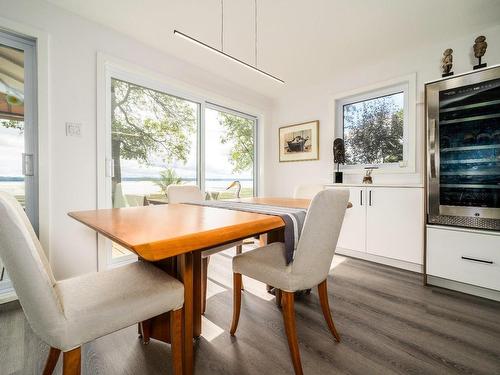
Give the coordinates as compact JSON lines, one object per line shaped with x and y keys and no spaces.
{"x":352,"y":234}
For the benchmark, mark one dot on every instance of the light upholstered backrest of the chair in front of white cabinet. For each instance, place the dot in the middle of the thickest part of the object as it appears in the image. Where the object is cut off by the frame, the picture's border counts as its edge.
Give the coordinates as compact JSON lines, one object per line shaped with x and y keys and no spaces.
{"x":319,"y":236}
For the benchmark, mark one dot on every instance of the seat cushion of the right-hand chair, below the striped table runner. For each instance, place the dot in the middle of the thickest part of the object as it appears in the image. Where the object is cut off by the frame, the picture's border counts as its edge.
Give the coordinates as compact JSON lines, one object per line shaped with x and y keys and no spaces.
{"x":268,"y":265}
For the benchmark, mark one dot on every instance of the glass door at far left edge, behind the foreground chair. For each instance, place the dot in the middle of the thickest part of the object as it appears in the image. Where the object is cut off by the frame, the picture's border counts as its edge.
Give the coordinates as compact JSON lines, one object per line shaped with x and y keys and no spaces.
{"x":18,"y":141}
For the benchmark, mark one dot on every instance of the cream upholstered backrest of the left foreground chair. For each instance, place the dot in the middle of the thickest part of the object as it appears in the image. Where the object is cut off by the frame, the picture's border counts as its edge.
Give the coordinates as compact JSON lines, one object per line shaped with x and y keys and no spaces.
{"x":28,"y":269}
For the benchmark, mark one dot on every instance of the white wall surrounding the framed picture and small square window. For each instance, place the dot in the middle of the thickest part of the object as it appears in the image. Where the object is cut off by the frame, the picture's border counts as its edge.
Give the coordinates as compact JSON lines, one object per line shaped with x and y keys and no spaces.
{"x":316,"y":103}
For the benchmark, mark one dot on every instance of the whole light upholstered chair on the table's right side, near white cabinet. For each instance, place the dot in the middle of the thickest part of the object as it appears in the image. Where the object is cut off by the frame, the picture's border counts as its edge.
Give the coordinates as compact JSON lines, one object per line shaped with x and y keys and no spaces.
{"x":309,"y":268}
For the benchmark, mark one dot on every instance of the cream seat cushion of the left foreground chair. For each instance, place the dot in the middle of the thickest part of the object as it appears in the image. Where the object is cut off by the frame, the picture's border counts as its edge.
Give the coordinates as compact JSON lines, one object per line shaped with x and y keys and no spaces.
{"x":99,"y":303}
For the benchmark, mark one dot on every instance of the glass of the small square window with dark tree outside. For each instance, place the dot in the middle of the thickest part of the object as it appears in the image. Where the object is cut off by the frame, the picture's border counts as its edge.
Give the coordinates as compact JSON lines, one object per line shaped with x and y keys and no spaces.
{"x":373,"y":132}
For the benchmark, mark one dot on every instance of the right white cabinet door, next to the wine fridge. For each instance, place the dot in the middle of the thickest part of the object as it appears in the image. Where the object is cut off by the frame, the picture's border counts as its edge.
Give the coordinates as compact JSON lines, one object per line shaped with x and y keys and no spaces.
{"x":394,"y":222}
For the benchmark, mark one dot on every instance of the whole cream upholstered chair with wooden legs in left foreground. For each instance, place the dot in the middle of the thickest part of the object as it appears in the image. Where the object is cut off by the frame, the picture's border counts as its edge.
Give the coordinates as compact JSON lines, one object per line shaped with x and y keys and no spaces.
{"x":68,"y":313}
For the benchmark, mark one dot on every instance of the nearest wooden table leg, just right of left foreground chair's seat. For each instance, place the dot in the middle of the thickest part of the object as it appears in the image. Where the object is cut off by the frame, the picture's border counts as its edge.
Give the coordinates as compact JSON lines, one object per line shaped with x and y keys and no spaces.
{"x":185,"y":263}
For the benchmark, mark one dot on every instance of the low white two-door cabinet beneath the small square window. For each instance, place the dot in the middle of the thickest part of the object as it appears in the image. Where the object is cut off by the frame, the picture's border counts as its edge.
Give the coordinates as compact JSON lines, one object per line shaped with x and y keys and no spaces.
{"x":385,"y":222}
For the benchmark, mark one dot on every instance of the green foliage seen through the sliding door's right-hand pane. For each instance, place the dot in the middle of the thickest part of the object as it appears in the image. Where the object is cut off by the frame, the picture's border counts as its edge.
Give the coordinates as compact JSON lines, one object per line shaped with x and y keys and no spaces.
{"x":239,"y":134}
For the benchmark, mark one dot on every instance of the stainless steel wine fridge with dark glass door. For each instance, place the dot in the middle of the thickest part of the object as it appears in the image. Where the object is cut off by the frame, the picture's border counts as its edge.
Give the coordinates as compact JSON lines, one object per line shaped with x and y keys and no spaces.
{"x":463,"y":150}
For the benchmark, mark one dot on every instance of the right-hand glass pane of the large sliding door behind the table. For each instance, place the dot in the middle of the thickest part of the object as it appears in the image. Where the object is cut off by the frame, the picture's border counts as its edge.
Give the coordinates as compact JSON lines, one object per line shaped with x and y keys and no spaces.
{"x":230,"y":153}
